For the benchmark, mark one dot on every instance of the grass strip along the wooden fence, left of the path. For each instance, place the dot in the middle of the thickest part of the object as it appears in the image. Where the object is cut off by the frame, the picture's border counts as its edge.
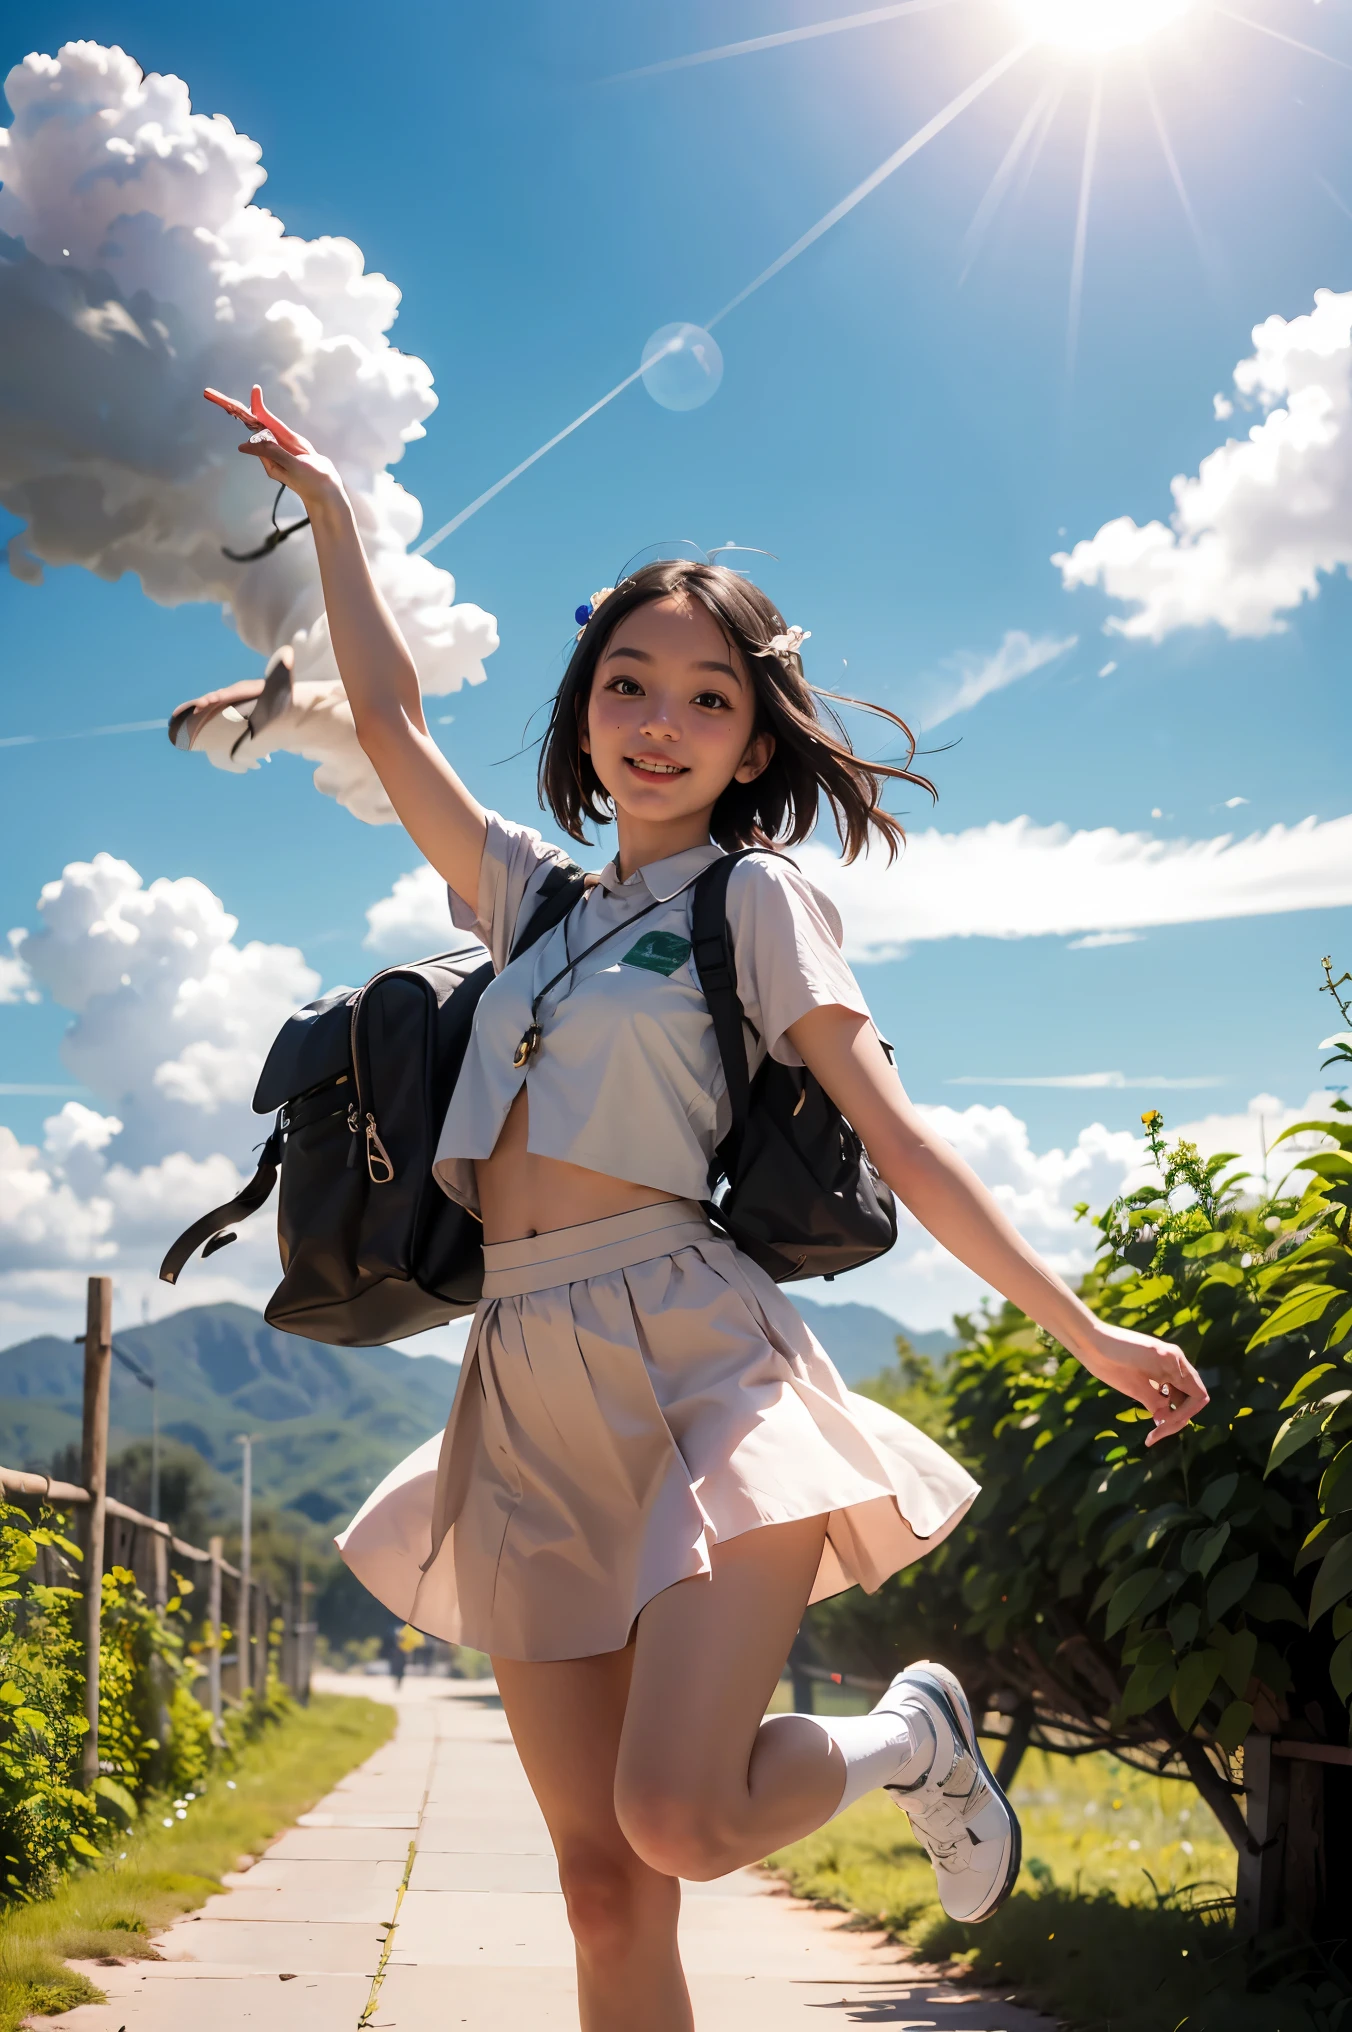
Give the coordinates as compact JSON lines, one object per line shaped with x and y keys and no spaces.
{"x":156,"y":1872}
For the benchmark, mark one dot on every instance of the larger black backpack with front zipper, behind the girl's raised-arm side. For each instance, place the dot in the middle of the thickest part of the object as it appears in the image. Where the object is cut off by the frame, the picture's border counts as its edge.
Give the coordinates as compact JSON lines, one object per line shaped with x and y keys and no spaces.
{"x":361,"y":1082}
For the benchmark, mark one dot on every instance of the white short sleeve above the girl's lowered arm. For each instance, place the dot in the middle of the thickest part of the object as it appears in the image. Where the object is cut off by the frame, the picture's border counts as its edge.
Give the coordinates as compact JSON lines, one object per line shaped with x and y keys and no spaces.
{"x":786,"y":942}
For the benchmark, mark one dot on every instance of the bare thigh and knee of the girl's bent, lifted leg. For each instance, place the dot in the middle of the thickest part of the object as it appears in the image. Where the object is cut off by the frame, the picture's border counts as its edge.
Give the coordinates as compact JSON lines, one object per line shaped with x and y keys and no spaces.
{"x":704,"y":1783}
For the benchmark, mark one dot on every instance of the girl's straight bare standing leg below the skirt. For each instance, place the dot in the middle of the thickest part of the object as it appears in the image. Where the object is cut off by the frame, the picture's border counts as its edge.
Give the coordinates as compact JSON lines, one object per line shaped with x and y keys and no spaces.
{"x":566,"y":1722}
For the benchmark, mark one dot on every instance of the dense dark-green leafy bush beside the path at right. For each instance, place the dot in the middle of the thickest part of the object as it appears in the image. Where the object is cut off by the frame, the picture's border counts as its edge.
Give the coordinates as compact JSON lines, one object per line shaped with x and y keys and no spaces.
{"x":1160,"y":1602}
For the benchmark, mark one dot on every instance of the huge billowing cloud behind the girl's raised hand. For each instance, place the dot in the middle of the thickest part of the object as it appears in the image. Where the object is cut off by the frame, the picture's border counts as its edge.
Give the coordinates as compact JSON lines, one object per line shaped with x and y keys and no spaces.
{"x":135,"y":271}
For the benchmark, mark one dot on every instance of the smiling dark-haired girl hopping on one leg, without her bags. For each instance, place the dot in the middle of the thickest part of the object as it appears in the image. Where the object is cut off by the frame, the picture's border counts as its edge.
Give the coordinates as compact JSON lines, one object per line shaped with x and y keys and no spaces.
{"x":652,"y":1466}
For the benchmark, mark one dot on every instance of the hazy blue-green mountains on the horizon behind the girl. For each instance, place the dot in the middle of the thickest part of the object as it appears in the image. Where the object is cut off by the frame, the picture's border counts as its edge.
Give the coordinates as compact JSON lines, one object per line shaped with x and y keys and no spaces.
{"x":332,"y":1419}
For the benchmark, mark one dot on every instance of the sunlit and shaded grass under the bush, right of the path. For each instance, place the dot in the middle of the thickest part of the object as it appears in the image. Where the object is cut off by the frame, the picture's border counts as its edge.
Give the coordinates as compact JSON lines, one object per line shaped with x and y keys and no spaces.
{"x":1107,"y":1927}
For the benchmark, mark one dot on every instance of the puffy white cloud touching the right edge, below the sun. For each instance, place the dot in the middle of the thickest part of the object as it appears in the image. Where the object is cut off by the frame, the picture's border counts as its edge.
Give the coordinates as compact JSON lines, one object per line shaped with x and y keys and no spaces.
{"x":1266,"y":515}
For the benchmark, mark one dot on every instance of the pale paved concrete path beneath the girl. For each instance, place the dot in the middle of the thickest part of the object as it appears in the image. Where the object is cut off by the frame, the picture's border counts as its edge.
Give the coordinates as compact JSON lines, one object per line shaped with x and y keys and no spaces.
{"x":422,"y":1897}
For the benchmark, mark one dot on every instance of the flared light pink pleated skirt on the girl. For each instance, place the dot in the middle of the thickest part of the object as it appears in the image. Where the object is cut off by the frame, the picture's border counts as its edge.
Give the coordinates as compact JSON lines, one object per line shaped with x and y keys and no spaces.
{"x":633,"y":1393}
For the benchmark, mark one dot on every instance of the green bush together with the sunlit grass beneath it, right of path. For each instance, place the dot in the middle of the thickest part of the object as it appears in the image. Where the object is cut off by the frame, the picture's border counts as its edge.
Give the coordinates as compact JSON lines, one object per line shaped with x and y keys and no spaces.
{"x":1144,"y":1612}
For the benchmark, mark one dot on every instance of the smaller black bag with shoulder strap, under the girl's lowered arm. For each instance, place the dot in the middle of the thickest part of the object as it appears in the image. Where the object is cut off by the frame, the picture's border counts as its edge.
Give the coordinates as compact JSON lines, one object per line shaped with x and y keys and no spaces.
{"x":800,"y":1196}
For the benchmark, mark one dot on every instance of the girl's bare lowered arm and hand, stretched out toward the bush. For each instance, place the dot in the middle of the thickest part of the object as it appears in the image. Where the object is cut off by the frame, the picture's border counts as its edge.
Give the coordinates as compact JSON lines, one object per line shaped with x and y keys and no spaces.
{"x":946,"y":1196}
